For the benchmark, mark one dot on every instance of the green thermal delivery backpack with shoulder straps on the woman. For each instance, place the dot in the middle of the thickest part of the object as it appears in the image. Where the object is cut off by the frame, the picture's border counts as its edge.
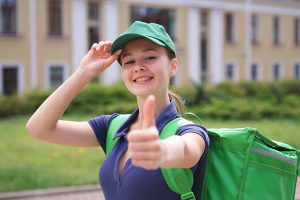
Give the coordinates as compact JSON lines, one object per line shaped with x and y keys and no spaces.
{"x":241,"y":164}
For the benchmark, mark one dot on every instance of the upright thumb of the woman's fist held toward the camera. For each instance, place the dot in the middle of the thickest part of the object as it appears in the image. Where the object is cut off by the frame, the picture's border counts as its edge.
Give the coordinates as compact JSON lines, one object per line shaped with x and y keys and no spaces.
{"x":148,"y":112}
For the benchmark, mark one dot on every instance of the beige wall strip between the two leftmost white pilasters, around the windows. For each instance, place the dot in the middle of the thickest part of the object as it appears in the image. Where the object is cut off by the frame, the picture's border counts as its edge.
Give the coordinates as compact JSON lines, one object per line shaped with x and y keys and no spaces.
{"x":56,"y":49}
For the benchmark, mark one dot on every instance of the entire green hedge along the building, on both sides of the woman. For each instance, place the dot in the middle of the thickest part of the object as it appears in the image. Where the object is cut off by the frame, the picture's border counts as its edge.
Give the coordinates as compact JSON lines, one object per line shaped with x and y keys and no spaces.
{"x":225,"y":101}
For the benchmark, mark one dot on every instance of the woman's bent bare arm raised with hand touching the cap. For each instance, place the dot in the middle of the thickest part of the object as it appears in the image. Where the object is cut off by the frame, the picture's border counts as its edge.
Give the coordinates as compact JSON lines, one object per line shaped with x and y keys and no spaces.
{"x":45,"y":123}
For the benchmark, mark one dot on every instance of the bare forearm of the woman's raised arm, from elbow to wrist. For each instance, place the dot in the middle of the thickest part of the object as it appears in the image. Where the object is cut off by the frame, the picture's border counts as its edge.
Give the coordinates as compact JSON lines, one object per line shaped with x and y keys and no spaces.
{"x":48,"y":114}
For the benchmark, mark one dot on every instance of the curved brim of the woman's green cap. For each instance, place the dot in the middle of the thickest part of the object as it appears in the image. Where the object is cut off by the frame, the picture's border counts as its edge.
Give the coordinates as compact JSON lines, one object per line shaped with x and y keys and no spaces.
{"x":121,"y":41}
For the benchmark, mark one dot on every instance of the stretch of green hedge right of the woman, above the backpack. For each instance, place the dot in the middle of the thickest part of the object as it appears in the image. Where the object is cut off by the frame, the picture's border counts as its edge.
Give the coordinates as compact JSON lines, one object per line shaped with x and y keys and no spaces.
{"x":246,"y":100}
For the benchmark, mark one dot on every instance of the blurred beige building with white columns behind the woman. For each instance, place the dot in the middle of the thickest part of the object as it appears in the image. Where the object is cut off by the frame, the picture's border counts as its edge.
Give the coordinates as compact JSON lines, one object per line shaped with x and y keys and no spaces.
{"x":43,"y":41}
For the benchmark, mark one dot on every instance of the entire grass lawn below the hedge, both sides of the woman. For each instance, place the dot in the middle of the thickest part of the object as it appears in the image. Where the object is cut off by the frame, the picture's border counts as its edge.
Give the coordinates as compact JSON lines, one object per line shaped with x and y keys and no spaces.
{"x":27,"y":163}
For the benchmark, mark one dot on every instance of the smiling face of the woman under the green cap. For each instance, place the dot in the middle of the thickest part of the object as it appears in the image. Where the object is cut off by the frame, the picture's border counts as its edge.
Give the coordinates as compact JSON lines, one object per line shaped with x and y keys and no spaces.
{"x":146,"y":68}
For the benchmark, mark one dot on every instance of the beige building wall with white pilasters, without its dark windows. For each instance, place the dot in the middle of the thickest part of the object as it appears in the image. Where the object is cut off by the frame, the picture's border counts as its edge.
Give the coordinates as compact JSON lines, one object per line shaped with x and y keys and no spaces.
{"x":32,"y":47}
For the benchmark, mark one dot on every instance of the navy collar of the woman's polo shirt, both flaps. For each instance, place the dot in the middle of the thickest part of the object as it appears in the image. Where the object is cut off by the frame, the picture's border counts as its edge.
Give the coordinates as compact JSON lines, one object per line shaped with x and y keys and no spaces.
{"x":169,"y":113}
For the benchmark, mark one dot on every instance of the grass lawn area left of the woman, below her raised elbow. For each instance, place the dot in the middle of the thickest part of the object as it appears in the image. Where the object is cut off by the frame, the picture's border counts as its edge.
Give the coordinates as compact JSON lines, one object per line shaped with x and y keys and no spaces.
{"x":27,"y":163}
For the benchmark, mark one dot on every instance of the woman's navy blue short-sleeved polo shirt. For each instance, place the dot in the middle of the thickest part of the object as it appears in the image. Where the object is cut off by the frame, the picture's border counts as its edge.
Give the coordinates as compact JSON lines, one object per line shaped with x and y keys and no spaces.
{"x":135,"y":182}
